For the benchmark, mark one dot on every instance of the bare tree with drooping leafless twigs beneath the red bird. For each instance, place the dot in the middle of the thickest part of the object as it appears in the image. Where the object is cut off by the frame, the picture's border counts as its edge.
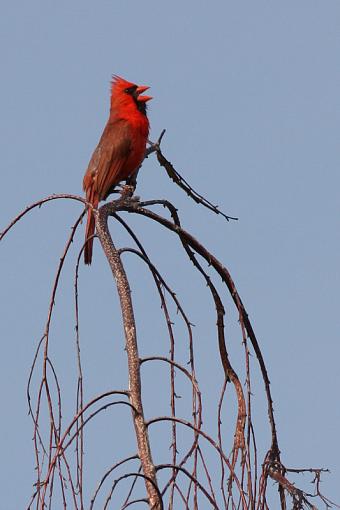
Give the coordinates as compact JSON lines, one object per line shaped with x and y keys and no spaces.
{"x":212,"y":470}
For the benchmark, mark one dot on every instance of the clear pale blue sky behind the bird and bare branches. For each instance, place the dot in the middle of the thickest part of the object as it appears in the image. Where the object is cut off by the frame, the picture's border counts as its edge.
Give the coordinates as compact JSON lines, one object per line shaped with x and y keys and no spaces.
{"x":249,"y":94}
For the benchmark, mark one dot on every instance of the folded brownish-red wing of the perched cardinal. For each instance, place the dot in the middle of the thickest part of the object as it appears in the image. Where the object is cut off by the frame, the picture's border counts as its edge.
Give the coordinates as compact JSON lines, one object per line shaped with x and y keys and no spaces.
{"x":109,"y":158}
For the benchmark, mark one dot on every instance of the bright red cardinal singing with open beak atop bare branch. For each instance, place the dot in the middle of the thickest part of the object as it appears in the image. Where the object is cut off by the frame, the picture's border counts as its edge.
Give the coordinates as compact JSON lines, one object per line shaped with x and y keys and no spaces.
{"x":120,"y":150}
